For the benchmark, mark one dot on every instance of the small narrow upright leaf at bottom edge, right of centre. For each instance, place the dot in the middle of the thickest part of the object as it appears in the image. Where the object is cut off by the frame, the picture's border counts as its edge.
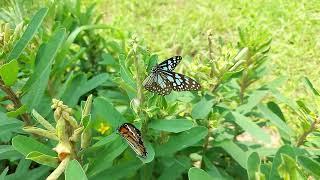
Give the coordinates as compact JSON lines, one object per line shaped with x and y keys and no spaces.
{"x":253,"y":165}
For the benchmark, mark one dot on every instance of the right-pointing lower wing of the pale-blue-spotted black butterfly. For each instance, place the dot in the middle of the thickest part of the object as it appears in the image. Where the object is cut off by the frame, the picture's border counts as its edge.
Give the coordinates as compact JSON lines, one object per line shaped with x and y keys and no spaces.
{"x":180,"y":82}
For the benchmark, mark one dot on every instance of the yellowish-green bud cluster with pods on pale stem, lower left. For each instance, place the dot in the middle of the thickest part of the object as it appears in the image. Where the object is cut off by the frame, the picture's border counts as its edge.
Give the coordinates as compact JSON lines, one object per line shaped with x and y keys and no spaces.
{"x":67,"y":132}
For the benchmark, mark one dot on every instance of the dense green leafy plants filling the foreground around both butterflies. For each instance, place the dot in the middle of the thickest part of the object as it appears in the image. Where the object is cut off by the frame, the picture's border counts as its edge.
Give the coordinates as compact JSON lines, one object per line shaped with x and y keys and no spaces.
{"x":239,"y":126}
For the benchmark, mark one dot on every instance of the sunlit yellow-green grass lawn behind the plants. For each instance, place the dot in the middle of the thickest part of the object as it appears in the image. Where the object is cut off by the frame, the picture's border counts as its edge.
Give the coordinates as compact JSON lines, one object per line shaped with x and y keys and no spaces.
{"x":180,"y":26}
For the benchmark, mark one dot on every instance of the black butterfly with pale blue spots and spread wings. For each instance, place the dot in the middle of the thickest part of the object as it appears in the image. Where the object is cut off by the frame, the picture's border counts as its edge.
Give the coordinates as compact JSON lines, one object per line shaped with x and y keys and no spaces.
{"x":163,"y":80}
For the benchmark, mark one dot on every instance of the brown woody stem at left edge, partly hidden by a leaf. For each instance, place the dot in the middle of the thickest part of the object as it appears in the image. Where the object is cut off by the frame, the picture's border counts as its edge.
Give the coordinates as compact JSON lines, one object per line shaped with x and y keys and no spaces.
{"x":15,"y":100}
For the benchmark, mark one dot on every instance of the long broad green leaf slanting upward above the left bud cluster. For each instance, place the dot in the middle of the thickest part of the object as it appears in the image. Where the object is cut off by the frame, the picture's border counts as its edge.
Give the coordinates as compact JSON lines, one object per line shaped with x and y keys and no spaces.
{"x":39,"y":79}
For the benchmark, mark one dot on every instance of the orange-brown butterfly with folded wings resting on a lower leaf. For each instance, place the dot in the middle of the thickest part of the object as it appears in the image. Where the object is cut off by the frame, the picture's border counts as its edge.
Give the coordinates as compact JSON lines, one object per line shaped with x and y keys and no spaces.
{"x":133,"y":137}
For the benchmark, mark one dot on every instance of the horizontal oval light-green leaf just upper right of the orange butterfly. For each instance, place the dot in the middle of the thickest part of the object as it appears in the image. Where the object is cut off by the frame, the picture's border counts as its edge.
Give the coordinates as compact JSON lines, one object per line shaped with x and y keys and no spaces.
{"x":172,"y":125}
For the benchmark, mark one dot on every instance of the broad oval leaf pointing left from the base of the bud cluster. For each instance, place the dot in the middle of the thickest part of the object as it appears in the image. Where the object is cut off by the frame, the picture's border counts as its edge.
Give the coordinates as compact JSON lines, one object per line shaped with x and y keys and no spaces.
{"x":26,"y":145}
